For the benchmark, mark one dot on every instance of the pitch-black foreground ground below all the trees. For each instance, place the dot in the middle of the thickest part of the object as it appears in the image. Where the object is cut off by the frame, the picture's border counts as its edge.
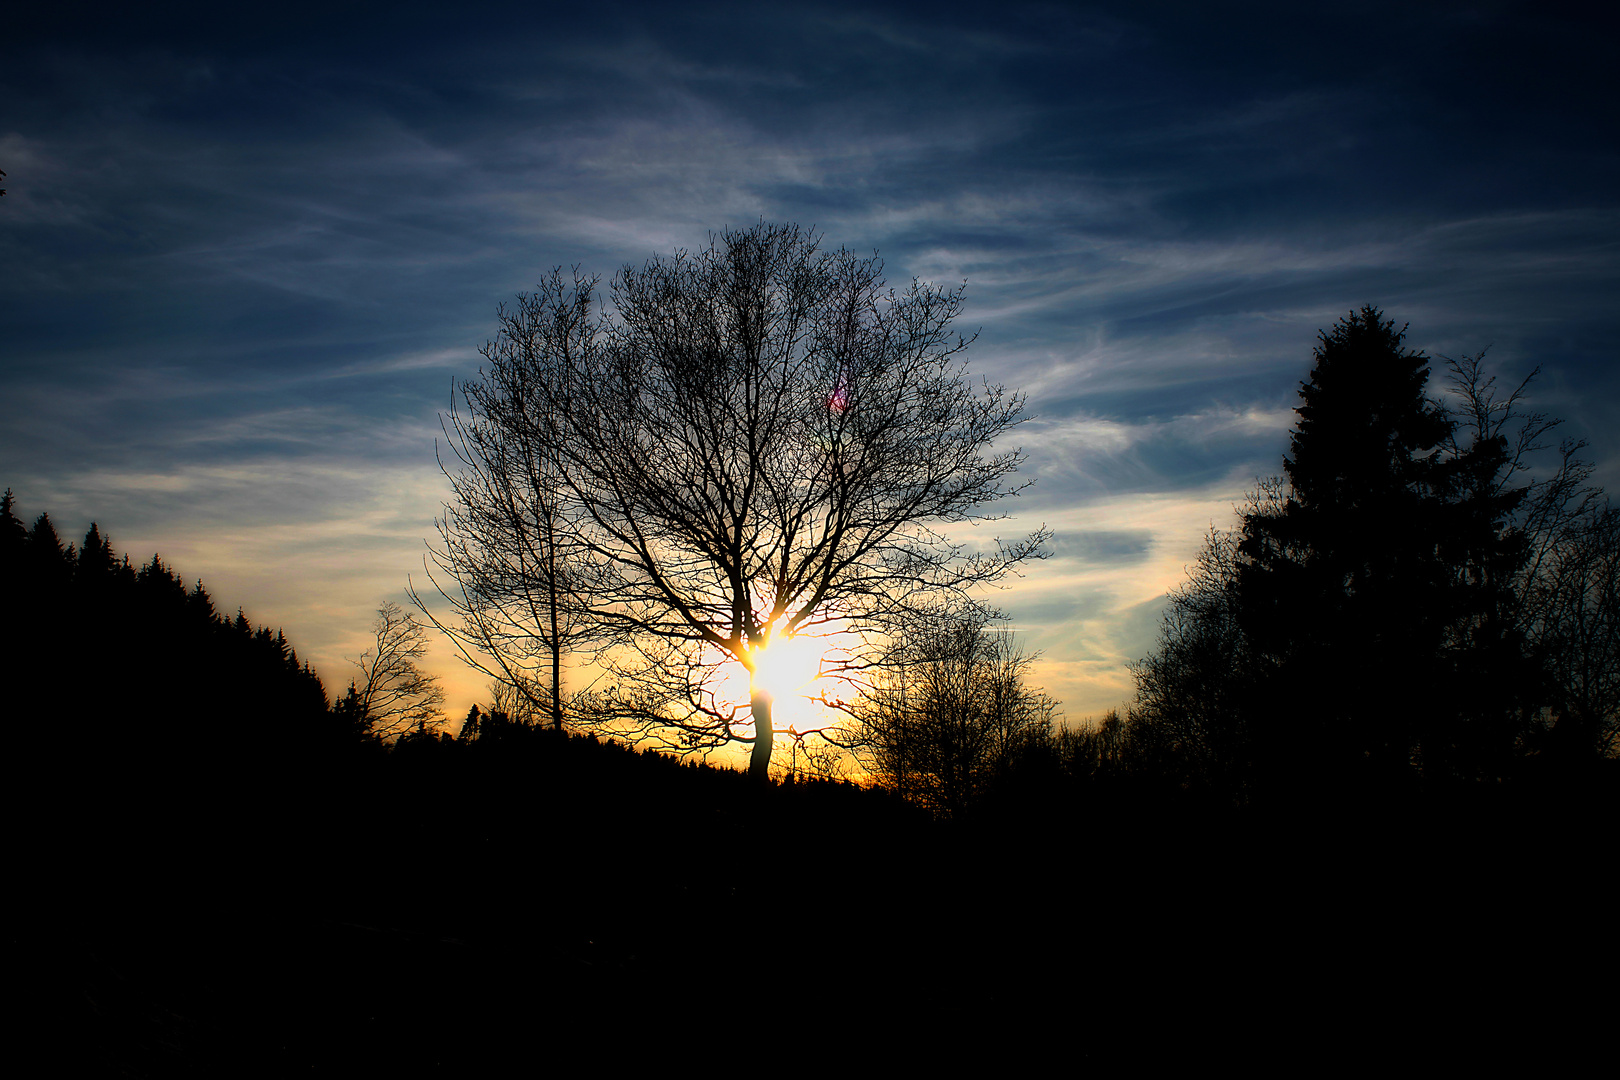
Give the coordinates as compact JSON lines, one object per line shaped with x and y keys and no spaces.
{"x":578,"y":908}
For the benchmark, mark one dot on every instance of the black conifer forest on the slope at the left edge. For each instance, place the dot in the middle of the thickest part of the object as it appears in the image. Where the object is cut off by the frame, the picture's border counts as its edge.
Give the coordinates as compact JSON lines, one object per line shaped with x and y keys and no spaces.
{"x":122,"y":653}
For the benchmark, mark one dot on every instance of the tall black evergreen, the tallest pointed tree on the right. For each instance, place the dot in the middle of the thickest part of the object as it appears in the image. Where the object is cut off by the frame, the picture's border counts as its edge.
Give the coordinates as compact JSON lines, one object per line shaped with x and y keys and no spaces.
{"x":1375,"y":590}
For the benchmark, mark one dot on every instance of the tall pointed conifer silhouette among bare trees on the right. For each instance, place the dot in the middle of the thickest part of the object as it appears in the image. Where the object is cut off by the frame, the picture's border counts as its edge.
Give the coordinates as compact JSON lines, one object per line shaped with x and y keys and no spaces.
{"x":1347,"y":587}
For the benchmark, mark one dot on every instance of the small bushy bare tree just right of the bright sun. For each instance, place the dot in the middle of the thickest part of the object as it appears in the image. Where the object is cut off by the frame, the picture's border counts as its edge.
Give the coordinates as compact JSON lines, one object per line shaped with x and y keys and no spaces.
{"x":949,"y":710}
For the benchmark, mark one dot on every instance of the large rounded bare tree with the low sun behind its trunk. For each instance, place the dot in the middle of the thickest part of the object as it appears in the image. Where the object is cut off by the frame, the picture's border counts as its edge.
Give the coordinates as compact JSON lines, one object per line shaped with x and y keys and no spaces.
{"x":746,"y":443}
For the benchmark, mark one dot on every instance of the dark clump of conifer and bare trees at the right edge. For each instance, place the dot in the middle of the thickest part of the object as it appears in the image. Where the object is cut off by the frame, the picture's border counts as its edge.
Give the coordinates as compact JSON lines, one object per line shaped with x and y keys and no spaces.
{"x":1410,"y":606}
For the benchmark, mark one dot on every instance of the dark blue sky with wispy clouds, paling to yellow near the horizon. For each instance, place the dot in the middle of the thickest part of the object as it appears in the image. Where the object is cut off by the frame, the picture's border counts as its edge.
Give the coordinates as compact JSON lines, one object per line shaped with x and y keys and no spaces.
{"x":249,"y":257}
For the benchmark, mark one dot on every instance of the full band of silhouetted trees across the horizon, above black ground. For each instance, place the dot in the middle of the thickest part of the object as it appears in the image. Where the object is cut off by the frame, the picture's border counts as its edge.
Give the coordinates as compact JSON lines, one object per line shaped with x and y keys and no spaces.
{"x":762,"y":444}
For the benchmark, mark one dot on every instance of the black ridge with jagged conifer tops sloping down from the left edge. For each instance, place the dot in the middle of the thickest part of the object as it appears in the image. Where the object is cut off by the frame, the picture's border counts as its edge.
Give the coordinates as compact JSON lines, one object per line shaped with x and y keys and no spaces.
{"x":143,"y":697}
